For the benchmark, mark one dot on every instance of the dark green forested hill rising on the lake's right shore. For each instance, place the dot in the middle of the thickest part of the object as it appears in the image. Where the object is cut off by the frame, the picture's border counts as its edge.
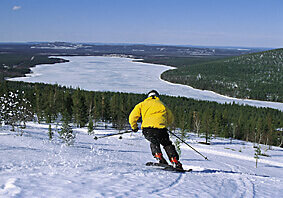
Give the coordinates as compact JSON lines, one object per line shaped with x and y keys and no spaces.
{"x":255,"y":76}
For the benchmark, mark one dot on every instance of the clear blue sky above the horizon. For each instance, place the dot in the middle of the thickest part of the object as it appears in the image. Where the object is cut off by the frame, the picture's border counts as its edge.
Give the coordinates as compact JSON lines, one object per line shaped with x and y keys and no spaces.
{"x":246,"y":23}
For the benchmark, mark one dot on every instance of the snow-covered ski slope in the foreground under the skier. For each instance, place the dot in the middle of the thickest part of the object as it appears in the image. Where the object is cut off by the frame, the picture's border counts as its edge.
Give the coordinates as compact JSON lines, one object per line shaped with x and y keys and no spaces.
{"x":33,"y":166}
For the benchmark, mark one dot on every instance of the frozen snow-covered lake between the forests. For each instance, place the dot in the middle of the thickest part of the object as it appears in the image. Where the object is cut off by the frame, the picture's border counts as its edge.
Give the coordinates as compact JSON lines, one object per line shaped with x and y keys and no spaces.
{"x":123,"y":75}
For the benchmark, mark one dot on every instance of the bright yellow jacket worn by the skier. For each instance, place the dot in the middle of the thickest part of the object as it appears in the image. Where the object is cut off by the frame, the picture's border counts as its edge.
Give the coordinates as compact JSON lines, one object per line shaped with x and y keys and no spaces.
{"x":153,"y":112}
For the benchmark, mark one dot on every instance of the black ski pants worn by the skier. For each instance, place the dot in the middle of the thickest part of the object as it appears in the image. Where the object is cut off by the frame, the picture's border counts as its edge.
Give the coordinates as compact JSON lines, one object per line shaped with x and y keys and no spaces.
{"x":158,"y":137}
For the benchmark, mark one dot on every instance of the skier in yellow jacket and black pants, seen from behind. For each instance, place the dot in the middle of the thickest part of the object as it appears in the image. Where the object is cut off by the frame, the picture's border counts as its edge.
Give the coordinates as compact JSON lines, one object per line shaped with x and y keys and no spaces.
{"x":156,"y":117}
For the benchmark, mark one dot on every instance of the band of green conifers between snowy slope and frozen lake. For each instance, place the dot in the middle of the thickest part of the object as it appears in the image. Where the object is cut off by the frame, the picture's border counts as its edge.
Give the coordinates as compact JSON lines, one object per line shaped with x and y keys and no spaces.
{"x":51,"y":103}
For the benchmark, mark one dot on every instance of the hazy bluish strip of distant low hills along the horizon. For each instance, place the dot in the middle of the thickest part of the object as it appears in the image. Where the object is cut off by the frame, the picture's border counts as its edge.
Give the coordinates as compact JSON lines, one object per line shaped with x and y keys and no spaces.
{"x":137,"y":50}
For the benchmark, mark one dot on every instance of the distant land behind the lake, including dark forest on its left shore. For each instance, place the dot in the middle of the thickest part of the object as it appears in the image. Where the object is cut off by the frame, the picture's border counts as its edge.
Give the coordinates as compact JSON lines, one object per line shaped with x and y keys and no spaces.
{"x":16,"y":59}
